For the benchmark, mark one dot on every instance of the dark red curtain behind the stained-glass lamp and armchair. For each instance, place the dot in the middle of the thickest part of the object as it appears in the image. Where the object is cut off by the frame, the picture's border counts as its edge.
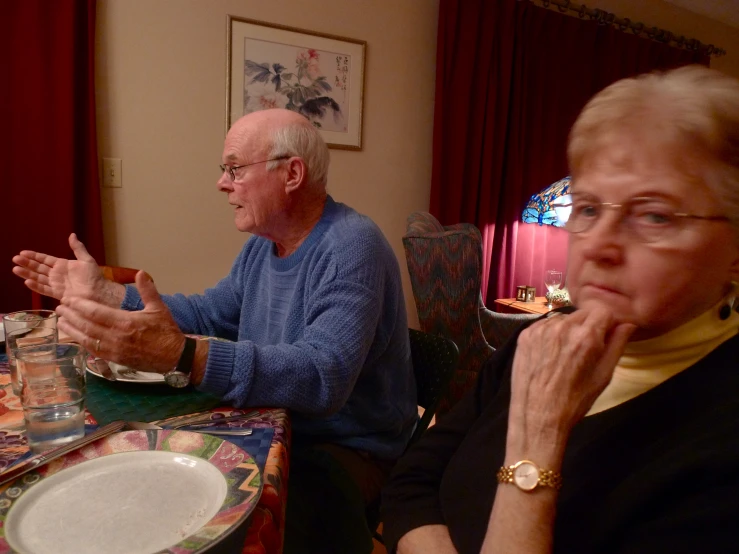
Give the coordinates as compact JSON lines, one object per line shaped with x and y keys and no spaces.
{"x":511,"y":79}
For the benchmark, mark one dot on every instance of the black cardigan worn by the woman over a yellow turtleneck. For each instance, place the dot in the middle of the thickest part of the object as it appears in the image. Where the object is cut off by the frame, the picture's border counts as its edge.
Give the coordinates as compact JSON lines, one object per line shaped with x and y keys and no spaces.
{"x":659,"y":473}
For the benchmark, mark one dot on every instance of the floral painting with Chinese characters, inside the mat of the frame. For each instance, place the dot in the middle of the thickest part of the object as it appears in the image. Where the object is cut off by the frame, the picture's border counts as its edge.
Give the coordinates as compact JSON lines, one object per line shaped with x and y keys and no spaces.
{"x":311,"y":82}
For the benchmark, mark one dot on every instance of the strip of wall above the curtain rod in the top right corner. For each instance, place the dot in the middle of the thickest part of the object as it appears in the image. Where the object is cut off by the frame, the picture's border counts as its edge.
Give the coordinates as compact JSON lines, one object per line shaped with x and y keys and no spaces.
{"x":657,"y":13}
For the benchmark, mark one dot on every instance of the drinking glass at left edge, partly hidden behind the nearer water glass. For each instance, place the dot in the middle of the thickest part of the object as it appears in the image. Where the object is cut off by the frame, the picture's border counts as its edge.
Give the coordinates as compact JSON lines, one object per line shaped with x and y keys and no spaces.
{"x":24,"y":329}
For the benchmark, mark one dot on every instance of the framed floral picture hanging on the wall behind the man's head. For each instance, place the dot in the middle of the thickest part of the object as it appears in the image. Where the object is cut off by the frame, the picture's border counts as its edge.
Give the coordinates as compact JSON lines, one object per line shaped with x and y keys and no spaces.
{"x":316,"y":74}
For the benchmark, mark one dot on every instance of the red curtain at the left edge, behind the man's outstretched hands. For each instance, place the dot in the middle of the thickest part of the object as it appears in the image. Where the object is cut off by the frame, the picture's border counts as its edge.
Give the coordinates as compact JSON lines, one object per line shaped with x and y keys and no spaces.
{"x":49,"y":162}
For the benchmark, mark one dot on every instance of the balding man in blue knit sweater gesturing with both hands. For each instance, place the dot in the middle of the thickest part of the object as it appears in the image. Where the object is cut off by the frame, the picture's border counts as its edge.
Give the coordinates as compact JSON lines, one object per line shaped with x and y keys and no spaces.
{"x":313,"y":309}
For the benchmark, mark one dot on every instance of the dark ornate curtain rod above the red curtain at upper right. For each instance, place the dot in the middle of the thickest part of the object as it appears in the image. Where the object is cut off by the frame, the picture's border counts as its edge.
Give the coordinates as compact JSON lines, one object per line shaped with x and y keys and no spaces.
{"x":654,"y":33}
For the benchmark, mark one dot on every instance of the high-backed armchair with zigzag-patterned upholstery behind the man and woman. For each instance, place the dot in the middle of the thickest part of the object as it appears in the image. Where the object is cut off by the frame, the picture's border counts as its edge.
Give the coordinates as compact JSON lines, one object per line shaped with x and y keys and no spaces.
{"x":445,"y":266}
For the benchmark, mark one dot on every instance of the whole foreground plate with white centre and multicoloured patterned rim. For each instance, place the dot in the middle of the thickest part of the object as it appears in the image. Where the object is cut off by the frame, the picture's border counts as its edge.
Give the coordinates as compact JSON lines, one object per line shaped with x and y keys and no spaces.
{"x":142,"y":492}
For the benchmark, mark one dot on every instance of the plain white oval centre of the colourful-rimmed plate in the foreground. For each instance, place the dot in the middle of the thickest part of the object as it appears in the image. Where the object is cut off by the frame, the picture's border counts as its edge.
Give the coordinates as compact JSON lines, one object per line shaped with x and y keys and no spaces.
{"x":94,"y":507}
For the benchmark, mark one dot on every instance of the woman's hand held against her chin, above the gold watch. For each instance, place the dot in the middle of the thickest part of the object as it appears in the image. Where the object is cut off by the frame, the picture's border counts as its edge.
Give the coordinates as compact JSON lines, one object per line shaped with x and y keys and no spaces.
{"x":561,"y":366}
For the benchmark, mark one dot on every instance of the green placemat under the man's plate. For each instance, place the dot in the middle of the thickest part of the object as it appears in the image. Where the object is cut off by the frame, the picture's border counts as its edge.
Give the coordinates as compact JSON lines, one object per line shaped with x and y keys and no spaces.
{"x":111,"y":400}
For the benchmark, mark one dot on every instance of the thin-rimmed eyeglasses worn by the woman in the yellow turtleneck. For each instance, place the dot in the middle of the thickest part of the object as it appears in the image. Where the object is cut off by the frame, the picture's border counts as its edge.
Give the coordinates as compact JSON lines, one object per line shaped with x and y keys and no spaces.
{"x":648,"y":219}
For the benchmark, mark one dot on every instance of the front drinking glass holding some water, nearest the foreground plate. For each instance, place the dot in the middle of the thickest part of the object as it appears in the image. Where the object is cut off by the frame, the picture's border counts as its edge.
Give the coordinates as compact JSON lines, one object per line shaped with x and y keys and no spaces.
{"x":52,"y":378}
